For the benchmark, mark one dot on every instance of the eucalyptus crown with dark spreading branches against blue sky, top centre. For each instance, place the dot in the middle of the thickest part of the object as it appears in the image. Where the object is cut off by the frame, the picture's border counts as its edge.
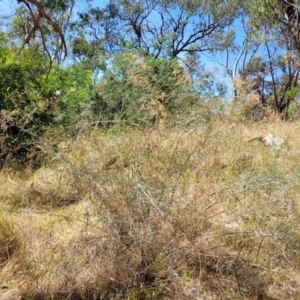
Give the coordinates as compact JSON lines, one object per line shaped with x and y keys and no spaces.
{"x":160,"y":28}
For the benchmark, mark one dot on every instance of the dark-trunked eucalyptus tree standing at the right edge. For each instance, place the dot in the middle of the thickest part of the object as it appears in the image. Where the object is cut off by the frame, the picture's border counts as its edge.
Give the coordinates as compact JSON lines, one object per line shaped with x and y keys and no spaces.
{"x":277,"y":28}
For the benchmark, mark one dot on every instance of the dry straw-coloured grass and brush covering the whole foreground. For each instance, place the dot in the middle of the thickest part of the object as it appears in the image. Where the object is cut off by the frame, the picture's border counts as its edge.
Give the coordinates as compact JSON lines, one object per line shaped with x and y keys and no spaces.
{"x":173,"y":213}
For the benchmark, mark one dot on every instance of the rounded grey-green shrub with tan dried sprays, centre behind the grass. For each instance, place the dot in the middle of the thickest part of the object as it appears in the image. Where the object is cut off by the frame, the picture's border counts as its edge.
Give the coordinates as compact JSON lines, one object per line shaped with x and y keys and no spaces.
{"x":141,"y":90}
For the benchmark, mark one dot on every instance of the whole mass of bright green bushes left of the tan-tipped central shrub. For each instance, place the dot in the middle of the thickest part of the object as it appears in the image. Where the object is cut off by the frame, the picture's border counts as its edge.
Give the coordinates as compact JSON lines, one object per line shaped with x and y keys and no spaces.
{"x":32,"y":101}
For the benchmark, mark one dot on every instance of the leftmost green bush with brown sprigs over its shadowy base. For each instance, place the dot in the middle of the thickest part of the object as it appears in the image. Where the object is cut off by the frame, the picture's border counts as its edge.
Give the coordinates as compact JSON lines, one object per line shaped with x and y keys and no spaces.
{"x":22,"y":118}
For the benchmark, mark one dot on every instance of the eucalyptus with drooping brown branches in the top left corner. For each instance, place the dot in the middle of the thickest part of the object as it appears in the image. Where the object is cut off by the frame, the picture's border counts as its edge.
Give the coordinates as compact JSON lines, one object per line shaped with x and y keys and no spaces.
{"x":43,"y":23}
